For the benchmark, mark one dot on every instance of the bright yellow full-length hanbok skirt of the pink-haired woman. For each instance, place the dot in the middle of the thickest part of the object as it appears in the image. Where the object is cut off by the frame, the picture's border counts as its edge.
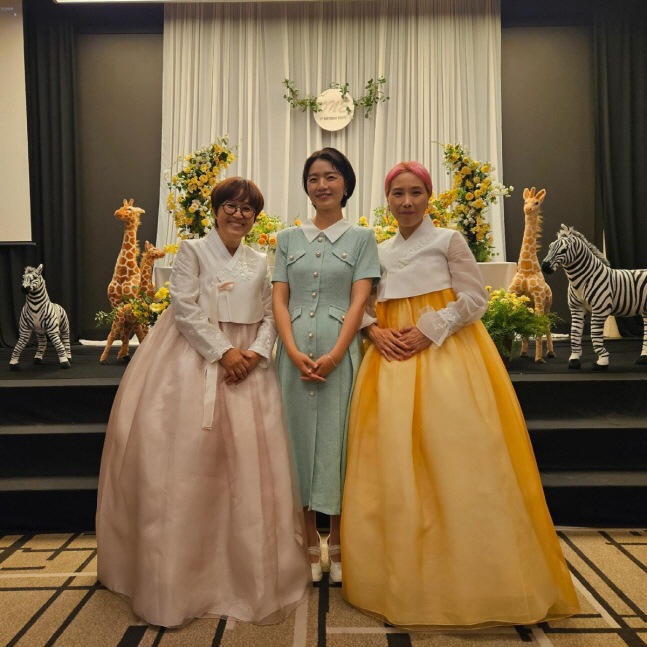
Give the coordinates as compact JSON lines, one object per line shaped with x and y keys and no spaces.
{"x":444,"y":520}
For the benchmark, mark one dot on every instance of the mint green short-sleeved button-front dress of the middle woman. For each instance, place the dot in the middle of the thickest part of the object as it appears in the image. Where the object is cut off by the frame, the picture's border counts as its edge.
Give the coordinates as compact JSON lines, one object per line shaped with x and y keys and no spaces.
{"x":320,"y":275}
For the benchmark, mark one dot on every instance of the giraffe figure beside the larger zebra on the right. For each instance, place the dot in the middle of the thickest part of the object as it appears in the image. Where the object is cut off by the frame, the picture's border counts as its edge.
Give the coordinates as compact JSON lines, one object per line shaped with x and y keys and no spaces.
{"x":529,"y":280}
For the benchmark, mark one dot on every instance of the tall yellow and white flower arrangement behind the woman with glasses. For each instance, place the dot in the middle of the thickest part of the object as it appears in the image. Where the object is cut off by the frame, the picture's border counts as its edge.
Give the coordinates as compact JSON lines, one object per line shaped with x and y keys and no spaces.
{"x":188,"y":201}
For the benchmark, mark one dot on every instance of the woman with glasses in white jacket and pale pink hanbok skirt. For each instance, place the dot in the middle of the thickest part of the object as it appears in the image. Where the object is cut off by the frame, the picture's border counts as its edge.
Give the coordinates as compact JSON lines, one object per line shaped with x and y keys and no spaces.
{"x":197,"y":511}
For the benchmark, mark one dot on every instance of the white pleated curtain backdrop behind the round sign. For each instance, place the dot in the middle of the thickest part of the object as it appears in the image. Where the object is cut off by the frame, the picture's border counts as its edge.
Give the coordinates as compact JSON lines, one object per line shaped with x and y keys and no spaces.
{"x":224,"y":65}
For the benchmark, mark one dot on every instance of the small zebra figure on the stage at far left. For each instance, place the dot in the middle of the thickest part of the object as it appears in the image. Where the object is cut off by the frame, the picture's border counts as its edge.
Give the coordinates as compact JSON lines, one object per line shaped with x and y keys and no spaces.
{"x":46,"y":318}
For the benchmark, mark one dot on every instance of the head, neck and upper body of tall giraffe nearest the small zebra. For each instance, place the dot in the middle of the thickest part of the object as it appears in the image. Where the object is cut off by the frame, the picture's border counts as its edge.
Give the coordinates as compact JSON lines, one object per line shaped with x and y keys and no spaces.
{"x":125,"y":278}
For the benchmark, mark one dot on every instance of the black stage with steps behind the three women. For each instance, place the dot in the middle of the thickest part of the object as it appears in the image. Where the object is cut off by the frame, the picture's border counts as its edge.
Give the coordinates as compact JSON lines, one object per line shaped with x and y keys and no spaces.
{"x":588,"y":430}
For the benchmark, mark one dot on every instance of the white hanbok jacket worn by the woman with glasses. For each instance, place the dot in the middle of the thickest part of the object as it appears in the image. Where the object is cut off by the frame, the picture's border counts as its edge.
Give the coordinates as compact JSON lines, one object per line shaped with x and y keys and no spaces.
{"x":209,"y":285}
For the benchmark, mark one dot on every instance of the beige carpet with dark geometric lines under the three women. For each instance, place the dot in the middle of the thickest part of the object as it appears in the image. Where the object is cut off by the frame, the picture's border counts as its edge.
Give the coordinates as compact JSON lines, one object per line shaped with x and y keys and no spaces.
{"x":49,"y":595}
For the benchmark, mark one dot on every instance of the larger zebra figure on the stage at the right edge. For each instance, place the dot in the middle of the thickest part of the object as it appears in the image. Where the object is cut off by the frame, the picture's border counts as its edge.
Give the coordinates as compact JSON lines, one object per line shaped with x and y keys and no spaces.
{"x":595,"y":287}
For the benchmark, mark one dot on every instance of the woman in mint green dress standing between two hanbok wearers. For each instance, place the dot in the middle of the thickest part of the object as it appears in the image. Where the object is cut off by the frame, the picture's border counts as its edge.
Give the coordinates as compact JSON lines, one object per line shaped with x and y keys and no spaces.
{"x":322,"y":280}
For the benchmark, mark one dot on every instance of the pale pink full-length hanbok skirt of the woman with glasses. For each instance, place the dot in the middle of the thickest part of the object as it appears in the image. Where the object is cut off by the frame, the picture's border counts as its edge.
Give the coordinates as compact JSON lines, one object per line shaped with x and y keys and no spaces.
{"x":195,"y":523}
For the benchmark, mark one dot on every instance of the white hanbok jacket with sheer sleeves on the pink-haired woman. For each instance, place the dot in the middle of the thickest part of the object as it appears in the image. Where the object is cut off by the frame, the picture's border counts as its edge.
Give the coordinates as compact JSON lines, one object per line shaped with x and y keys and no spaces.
{"x":432,"y":259}
